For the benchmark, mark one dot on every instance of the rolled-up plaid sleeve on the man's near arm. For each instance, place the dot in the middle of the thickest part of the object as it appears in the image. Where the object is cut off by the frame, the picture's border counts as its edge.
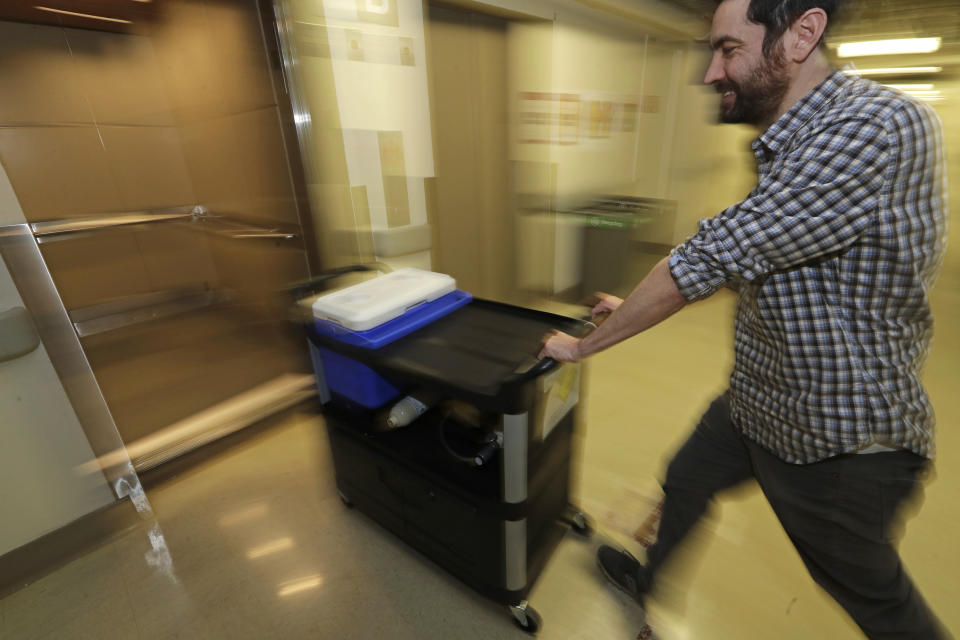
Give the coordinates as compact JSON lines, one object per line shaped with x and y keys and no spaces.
{"x":816,"y":202}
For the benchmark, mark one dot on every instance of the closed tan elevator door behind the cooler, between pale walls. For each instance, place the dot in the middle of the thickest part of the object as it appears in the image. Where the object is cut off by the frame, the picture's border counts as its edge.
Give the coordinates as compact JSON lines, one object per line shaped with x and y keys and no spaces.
{"x":473,"y":220}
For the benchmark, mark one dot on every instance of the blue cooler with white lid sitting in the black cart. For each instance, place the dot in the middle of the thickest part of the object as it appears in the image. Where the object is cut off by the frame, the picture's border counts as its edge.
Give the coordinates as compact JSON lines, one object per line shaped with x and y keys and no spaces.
{"x":370,"y":315}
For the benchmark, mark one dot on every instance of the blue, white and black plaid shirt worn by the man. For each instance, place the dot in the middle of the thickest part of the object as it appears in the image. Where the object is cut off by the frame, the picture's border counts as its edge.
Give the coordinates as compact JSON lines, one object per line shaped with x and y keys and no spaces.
{"x":833,"y":254}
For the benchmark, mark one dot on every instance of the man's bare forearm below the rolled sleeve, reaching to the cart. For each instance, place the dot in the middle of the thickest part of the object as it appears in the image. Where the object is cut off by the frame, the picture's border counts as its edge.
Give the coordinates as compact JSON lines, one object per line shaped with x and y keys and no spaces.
{"x":655,"y":299}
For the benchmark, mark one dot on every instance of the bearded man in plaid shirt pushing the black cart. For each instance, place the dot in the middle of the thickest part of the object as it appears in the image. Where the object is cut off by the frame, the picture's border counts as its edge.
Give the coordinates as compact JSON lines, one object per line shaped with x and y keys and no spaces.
{"x":832,"y":254}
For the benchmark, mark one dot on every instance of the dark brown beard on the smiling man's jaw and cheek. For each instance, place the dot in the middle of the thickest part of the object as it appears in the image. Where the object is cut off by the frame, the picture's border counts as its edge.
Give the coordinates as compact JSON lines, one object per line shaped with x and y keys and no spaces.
{"x":757,"y":98}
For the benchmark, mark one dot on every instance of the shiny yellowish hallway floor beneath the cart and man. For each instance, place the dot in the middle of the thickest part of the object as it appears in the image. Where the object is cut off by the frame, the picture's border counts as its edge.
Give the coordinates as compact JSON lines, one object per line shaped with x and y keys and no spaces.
{"x":254,"y":542}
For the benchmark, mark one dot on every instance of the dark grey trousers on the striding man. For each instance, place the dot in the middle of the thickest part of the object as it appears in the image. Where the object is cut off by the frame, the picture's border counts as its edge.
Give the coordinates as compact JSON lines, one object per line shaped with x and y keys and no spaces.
{"x":839,"y":514}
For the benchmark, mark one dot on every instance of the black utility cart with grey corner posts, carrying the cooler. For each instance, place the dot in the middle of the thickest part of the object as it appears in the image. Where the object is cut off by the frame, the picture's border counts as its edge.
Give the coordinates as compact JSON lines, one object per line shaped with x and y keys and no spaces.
{"x":479,"y":483}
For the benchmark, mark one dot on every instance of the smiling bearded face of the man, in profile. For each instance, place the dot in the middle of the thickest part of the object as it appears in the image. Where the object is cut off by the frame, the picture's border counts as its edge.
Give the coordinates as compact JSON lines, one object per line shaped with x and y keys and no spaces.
{"x":751,"y":85}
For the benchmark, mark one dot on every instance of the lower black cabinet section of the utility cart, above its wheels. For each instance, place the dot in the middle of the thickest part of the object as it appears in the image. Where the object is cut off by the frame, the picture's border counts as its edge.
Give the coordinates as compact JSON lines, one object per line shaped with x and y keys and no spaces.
{"x":497,"y":549}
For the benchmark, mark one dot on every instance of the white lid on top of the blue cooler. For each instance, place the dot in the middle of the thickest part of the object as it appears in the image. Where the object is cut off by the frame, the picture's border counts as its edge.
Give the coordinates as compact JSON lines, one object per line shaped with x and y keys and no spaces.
{"x":369,"y":304}
